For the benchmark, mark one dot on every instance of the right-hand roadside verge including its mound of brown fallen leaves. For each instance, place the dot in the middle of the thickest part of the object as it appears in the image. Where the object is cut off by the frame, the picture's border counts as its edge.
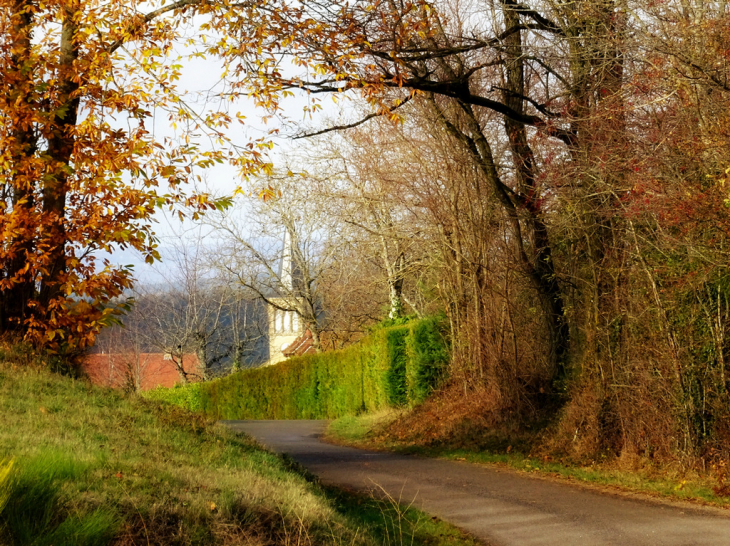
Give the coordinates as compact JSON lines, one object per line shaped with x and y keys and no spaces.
{"x":452,"y":427}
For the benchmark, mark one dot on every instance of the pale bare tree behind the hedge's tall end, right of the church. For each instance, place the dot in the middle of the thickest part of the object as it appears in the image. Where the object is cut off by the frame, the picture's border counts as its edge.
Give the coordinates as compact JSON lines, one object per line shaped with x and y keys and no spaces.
{"x":361,"y":176}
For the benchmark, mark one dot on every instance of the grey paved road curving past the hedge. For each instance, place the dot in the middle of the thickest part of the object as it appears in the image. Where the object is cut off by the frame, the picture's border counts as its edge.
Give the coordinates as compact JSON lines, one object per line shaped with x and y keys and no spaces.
{"x":501,"y":507}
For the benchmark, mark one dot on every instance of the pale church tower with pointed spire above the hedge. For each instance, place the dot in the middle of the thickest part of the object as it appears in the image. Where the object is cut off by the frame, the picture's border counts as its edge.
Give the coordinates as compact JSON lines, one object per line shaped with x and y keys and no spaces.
{"x":285,"y":327}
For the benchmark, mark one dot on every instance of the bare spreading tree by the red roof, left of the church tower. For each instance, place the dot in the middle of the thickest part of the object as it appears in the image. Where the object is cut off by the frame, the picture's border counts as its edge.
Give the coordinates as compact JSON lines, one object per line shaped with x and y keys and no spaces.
{"x":189,"y":310}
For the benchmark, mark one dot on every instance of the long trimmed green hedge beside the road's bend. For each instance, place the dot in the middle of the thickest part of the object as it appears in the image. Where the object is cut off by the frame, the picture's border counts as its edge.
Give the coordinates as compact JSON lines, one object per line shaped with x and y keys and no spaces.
{"x":396,"y":365}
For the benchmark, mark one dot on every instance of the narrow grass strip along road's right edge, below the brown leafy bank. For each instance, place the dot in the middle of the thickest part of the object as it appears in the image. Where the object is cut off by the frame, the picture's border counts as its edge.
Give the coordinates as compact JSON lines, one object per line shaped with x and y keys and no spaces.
{"x":367,"y":431}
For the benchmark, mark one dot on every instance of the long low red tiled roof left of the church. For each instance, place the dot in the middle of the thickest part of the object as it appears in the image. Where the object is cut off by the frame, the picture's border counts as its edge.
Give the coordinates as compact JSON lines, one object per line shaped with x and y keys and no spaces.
{"x":148,"y":370}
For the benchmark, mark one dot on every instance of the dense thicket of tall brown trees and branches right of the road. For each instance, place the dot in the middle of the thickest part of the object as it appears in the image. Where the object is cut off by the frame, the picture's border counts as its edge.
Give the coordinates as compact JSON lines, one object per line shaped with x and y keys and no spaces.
{"x":563,"y":167}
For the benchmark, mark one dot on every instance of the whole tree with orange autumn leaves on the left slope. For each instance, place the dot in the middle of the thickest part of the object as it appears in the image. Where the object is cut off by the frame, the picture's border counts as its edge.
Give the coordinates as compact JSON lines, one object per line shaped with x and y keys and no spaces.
{"x":81,"y":170}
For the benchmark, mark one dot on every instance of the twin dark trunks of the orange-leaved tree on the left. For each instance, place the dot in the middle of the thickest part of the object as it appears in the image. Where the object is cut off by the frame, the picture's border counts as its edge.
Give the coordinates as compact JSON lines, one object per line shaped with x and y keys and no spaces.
{"x":46,"y":230}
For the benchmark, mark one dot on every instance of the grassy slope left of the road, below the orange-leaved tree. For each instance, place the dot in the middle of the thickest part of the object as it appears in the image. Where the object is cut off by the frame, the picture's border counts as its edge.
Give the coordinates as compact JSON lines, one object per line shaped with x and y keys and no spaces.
{"x":82,"y":466}
